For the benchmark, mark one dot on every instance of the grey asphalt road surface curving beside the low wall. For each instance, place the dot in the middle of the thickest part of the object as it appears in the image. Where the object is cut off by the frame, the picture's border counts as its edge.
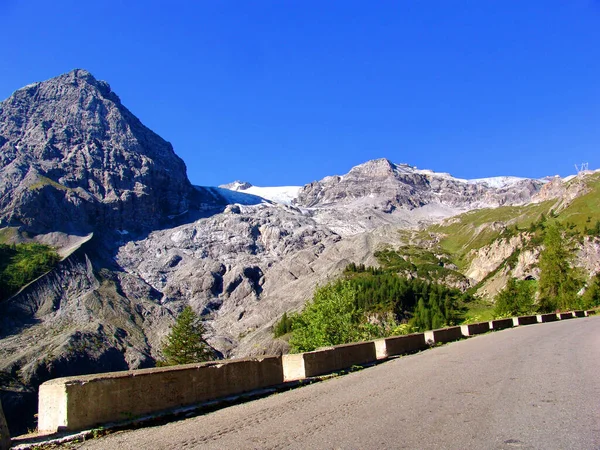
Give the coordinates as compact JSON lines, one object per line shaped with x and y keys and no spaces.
{"x":535,"y":386}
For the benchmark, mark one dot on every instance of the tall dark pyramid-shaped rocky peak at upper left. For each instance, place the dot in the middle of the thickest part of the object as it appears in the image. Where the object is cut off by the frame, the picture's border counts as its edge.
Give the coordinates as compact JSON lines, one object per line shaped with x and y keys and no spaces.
{"x":70,"y":149}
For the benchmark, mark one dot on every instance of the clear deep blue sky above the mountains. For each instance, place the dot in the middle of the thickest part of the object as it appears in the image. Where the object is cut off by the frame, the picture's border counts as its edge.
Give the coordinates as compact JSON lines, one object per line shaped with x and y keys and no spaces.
{"x":287,"y":92}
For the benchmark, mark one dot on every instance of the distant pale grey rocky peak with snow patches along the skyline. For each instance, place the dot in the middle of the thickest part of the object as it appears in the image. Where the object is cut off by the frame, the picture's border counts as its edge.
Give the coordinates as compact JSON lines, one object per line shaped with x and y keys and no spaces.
{"x":379,"y":193}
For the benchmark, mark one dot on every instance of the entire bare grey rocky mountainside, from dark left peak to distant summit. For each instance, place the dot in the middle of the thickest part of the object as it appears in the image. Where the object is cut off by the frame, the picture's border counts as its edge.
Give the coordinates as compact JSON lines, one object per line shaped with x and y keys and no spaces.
{"x":75,"y":161}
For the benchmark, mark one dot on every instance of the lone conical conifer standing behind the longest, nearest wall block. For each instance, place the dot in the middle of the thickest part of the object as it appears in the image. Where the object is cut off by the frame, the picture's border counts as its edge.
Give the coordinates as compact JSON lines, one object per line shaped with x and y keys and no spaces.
{"x":185,"y":343}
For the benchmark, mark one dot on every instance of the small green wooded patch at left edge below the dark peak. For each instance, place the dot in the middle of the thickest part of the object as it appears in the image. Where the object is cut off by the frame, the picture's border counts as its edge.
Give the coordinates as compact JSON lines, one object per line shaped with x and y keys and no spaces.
{"x":22,"y":263}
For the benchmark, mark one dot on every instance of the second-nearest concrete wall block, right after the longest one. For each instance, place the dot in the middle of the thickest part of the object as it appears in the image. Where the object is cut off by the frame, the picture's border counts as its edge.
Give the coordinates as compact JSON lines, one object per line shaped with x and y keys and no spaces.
{"x":327,"y":360}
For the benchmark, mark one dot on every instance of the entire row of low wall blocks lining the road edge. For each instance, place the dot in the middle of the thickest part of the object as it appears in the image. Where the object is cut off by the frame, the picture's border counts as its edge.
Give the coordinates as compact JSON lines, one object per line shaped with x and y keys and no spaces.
{"x":76,"y":403}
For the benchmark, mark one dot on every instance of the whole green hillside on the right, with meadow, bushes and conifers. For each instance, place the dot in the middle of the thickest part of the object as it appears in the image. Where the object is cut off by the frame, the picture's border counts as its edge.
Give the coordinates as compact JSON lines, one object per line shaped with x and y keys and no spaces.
{"x":408,"y":293}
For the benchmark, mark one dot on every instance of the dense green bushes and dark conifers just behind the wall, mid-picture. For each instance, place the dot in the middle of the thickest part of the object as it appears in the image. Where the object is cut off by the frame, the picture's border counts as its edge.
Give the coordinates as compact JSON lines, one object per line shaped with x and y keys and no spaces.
{"x":370,"y":303}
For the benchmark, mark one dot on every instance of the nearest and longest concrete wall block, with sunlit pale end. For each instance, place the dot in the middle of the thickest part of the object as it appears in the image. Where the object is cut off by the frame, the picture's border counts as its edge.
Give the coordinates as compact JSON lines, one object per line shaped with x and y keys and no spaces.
{"x":76,"y":403}
